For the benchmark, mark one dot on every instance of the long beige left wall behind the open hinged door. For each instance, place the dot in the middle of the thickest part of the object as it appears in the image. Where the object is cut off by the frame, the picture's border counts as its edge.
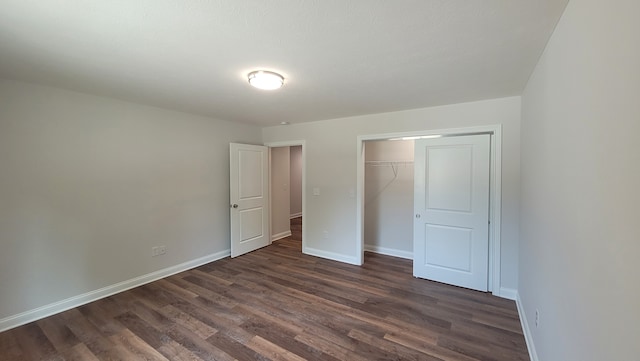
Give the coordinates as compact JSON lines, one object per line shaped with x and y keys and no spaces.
{"x":88,"y":185}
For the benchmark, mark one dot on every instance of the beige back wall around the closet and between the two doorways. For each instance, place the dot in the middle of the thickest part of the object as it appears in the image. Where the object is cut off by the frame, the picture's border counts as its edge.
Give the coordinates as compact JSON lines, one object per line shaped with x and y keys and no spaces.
{"x":331,"y":150}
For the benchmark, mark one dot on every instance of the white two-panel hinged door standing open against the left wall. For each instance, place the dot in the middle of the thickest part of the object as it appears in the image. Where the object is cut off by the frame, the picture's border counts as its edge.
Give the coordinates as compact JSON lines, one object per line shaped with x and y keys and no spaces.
{"x":249,"y":197}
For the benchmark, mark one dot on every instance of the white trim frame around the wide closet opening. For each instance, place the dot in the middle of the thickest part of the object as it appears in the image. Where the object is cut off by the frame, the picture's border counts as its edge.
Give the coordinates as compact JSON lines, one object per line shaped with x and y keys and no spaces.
{"x":495,"y":190}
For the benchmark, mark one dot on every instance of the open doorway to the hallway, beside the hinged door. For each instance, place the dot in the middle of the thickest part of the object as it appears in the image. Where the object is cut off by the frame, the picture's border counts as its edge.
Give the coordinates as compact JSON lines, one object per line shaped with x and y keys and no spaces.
{"x":286,"y":192}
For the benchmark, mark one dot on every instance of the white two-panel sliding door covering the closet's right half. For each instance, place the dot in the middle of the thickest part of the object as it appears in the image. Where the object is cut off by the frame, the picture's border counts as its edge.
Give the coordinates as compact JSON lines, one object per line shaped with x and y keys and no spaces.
{"x":451,"y":207}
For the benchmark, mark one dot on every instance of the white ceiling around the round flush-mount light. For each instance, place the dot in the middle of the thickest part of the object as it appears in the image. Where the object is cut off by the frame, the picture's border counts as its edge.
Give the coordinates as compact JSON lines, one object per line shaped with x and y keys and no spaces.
{"x":340,"y":58}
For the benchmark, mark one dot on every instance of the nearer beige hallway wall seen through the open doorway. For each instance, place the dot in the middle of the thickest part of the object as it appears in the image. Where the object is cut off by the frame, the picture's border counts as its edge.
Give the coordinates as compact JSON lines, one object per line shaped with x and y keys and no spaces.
{"x":280,"y":197}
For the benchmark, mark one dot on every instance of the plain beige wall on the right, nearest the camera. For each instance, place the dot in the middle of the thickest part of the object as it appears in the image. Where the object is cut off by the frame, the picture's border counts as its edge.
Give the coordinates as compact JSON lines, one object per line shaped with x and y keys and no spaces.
{"x":580,"y":177}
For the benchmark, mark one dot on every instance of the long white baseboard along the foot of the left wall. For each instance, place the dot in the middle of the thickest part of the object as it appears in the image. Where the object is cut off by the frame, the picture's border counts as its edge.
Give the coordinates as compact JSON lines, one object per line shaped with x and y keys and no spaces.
{"x":79,"y":300}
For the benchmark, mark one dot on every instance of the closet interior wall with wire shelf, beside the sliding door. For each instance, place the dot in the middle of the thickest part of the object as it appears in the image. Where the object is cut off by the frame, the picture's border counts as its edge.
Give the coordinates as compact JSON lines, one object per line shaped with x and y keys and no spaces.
{"x":388,"y":209}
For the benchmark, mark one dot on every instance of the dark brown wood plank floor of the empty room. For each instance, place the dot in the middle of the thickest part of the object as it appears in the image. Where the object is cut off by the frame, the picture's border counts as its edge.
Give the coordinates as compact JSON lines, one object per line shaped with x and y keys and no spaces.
{"x":277,"y":304}
